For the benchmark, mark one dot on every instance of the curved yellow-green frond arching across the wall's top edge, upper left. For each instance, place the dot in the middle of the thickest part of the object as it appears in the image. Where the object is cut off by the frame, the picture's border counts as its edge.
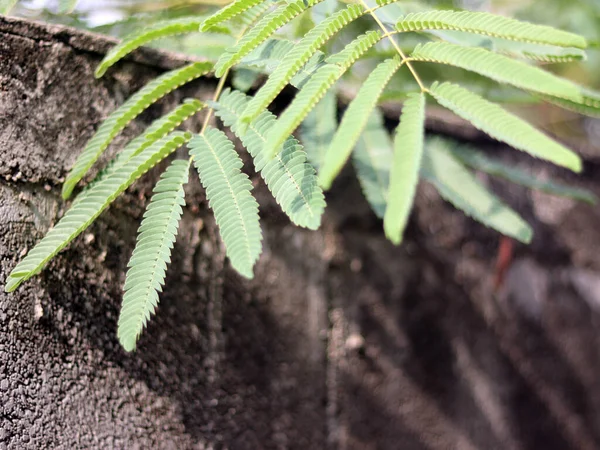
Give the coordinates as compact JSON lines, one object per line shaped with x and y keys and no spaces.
{"x":147,"y":34}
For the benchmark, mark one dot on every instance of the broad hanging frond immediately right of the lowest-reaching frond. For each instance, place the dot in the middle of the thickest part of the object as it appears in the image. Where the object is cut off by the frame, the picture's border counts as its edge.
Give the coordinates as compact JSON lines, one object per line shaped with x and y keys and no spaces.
{"x":228,"y":192}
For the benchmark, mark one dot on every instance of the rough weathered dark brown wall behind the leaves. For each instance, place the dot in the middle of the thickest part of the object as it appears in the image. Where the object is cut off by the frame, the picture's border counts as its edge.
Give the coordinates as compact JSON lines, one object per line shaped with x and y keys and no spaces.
{"x":341,"y":341}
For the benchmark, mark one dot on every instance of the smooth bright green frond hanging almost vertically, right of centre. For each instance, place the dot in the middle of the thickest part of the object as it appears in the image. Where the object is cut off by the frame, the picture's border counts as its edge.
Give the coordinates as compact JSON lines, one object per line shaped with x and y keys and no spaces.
{"x":404,"y":175}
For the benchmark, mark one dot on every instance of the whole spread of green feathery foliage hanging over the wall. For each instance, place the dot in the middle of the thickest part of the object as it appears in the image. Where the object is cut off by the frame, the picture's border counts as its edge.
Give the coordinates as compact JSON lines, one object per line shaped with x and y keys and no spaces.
{"x":332,"y":47}
